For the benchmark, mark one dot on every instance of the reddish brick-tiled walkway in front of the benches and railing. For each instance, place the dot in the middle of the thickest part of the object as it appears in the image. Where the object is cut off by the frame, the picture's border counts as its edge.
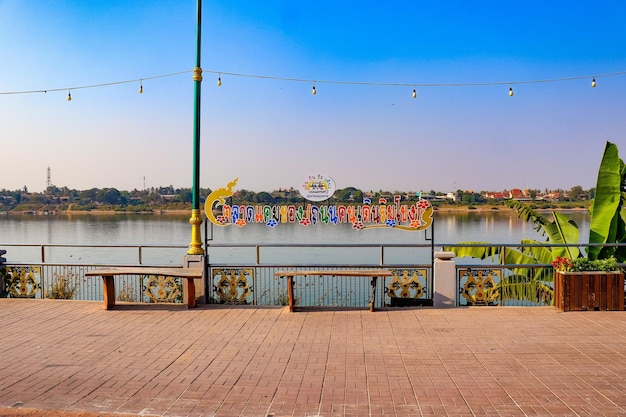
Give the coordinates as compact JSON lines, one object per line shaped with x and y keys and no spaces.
{"x":72,"y":358}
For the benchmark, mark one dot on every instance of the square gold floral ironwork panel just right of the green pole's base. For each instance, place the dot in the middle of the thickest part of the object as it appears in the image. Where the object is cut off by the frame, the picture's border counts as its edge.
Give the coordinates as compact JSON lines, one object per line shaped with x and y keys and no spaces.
{"x":233,"y":285}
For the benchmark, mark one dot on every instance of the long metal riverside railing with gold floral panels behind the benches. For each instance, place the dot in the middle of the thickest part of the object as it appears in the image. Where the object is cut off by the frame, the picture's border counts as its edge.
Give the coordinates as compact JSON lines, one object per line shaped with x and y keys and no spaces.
{"x":252,"y":281}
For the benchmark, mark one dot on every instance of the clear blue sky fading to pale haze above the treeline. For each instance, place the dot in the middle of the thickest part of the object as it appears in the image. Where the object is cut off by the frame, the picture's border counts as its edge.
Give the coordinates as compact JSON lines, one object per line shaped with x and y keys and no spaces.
{"x":272,"y":132}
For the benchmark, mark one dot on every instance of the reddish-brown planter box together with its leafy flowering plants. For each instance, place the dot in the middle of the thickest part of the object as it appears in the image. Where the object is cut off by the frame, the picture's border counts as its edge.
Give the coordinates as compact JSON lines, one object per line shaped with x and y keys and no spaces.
{"x":583,"y":284}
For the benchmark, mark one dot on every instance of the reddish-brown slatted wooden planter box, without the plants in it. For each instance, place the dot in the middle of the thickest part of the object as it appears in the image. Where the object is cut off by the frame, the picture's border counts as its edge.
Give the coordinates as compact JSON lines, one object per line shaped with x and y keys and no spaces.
{"x":588,"y":291}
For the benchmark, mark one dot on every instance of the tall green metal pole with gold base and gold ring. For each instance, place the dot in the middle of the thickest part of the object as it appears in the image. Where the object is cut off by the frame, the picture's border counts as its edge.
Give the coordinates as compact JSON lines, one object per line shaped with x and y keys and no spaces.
{"x":195,"y":246}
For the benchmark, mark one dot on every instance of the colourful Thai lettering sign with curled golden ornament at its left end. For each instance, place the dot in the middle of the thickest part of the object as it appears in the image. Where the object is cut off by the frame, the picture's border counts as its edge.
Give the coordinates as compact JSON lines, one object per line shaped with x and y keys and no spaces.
{"x":412,"y":217}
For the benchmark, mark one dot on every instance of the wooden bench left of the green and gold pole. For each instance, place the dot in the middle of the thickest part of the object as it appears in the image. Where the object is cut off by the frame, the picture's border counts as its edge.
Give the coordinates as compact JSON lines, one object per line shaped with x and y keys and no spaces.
{"x":108,"y":274}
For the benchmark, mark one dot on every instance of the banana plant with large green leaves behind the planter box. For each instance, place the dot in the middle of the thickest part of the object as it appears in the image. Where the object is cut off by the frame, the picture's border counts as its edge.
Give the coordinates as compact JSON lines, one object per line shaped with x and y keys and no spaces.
{"x":607,"y":225}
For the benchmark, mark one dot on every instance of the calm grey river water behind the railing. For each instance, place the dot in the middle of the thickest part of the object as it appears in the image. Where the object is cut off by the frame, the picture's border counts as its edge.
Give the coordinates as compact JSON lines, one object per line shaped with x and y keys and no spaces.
{"x":129,"y":229}
